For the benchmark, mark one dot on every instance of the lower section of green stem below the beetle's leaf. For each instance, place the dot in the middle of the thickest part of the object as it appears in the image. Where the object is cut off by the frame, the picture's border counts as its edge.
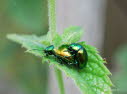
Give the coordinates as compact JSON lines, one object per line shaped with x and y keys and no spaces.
{"x":60,"y":80}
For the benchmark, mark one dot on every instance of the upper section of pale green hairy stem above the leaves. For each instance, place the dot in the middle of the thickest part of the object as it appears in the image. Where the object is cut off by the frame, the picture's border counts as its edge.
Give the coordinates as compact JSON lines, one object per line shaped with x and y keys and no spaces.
{"x":52,"y":17}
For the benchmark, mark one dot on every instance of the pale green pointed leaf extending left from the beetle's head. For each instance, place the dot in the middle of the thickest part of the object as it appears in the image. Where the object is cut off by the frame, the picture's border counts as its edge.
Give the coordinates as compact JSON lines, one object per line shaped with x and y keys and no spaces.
{"x":31,"y":42}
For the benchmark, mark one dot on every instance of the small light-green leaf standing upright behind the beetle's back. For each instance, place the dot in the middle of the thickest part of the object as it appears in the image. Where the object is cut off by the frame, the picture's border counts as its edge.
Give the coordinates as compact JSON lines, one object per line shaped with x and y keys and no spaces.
{"x":72,"y":34}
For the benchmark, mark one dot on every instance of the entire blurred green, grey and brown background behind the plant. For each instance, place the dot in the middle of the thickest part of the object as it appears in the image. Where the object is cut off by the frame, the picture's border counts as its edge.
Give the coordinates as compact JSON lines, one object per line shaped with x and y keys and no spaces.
{"x":23,"y":73}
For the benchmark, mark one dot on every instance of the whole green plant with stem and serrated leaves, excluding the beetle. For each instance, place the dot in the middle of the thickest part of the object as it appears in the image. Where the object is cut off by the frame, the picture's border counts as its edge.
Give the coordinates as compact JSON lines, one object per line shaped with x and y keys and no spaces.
{"x":93,"y":79}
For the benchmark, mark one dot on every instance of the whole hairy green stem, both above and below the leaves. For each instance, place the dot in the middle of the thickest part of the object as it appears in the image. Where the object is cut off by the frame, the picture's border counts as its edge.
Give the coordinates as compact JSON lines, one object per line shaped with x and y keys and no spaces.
{"x":52,"y":29}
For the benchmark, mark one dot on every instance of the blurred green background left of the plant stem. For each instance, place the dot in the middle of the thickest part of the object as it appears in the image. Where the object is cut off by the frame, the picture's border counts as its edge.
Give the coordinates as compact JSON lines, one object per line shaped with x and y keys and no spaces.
{"x":22,"y":73}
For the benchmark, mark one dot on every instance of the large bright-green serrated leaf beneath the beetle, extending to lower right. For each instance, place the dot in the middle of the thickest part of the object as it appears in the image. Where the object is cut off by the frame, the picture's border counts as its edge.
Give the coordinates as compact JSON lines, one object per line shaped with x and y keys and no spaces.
{"x":93,"y":78}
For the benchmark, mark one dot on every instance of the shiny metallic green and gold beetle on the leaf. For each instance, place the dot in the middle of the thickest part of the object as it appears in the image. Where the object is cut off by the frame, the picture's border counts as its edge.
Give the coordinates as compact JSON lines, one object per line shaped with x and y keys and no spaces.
{"x":73,"y":55}
